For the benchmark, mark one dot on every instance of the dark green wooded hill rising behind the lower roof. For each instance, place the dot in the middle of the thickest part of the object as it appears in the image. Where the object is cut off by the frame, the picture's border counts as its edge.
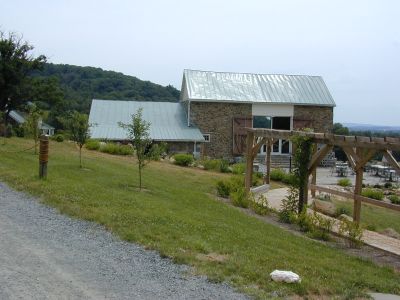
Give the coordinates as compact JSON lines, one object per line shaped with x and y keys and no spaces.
{"x":82,"y":84}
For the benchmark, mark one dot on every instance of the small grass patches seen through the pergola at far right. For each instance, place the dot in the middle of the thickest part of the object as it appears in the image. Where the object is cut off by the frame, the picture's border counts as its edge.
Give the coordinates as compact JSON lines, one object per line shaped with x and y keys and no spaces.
{"x":379,"y":217}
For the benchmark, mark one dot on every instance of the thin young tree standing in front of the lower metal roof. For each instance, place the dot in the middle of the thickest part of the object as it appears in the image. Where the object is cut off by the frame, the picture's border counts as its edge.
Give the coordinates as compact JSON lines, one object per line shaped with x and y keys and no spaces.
{"x":138,"y":134}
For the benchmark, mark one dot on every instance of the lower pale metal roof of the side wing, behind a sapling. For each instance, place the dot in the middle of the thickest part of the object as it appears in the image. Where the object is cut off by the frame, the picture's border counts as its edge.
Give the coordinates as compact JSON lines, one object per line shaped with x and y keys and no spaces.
{"x":167,"y":120}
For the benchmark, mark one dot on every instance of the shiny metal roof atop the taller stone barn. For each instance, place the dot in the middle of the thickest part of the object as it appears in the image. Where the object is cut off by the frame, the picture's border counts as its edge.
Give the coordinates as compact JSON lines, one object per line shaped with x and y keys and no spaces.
{"x":255,"y":88}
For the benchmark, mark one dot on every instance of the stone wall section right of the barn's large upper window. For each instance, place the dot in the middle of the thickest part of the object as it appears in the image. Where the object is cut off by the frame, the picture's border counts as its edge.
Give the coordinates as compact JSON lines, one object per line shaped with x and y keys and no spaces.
{"x":319,"y":118}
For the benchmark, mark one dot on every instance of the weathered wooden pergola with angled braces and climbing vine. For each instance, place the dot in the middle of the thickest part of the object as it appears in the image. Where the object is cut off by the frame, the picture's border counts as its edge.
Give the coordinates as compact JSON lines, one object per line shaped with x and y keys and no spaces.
{"x":358,"y":149}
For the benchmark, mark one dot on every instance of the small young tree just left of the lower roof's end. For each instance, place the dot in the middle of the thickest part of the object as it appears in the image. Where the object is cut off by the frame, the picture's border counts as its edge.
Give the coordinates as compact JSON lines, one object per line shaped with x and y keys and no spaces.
{"x":79,"y":127}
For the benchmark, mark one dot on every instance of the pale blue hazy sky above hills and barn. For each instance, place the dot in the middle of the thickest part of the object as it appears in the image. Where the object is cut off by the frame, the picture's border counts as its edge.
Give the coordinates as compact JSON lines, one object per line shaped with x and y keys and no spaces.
{"x":354,"y":45}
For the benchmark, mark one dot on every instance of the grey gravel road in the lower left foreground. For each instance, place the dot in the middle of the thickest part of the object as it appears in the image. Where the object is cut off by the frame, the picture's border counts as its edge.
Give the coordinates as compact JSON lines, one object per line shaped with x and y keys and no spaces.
{"x":45,"y":255}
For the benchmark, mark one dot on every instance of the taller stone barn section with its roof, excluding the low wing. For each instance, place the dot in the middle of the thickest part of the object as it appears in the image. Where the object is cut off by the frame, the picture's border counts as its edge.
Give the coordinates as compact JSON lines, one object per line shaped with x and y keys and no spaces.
{"x":221,"y":104}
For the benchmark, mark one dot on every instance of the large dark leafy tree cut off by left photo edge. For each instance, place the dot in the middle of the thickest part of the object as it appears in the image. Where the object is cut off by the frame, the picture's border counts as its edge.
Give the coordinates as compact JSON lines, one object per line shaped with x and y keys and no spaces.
{"x":16,"y":65}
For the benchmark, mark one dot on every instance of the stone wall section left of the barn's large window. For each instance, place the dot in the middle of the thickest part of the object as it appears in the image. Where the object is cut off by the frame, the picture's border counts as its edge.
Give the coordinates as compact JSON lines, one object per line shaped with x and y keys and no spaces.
{"x":216,"y":119}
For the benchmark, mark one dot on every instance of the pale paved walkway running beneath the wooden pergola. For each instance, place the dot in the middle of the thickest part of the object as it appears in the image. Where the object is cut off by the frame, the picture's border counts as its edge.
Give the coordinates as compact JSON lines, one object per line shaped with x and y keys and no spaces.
{"x":370,"y":238}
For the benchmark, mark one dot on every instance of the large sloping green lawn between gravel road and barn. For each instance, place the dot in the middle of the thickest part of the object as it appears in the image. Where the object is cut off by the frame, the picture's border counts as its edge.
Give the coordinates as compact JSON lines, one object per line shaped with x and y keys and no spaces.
{"x":178,"y":215}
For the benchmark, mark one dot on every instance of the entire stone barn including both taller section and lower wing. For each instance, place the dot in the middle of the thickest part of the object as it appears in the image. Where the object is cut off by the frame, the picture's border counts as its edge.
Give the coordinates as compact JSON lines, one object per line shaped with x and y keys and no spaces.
{"x":215,"y":107}
